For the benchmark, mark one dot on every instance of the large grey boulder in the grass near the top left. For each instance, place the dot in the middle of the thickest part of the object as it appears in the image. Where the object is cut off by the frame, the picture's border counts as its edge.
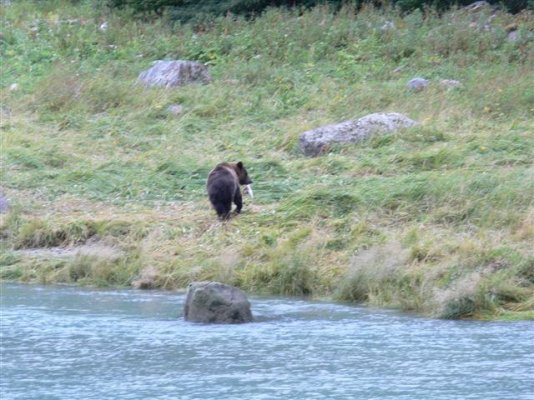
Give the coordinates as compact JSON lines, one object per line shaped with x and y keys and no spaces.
{"x":174,"y":73}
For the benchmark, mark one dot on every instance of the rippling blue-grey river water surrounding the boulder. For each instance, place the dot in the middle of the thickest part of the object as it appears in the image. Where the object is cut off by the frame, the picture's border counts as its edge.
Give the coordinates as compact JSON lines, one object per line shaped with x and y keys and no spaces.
{"x":75,"y":343}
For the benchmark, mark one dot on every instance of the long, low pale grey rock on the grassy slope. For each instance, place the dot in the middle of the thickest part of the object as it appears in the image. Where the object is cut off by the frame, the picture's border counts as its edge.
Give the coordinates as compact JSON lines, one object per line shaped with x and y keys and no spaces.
{"x":315,"y":141}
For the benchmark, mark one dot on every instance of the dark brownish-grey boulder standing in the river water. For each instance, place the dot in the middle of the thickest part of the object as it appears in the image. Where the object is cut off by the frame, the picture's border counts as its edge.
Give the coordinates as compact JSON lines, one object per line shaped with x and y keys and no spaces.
{"x":214,"y":302}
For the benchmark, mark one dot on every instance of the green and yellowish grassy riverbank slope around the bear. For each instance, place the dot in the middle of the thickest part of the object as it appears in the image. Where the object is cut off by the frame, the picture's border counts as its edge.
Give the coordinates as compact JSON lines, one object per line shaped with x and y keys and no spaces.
{"x":439,"y":219}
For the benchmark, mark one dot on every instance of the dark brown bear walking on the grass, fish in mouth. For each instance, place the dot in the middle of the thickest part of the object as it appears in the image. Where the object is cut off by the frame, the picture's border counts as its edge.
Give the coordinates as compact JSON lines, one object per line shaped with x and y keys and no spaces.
{"x":223,"y":187}
